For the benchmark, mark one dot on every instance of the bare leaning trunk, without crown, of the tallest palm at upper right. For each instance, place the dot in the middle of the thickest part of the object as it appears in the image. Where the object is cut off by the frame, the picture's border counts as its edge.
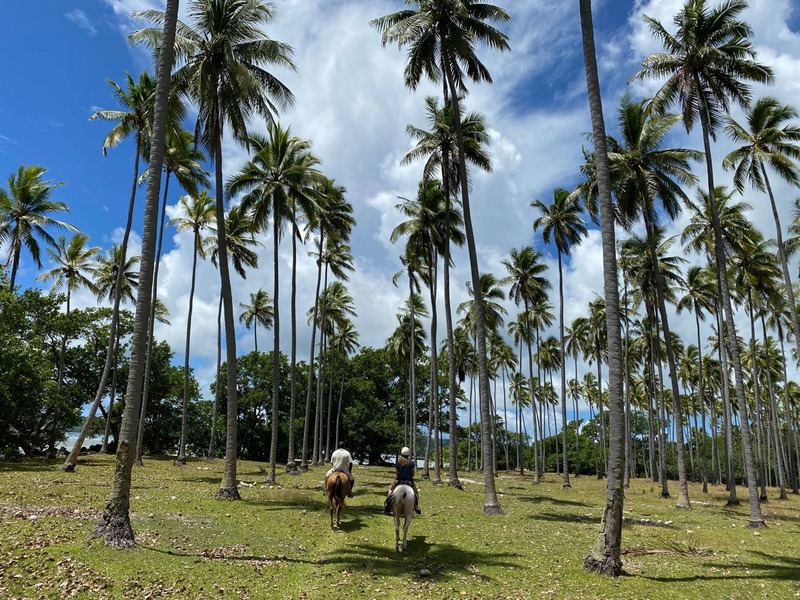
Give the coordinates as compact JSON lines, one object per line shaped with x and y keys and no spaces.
{"x":756,"y":518}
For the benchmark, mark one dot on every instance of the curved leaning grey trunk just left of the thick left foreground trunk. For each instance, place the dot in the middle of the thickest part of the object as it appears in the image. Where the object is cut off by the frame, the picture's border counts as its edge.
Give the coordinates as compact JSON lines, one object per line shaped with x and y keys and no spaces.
{"x":72,"y":459}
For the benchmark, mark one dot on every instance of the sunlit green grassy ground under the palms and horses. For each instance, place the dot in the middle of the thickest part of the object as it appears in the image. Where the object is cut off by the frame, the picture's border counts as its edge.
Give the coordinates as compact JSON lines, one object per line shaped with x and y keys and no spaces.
{"x":277,"y":542}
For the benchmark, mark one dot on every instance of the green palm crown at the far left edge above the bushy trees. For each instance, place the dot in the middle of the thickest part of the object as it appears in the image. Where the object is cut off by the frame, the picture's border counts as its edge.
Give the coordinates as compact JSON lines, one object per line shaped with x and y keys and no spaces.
{"x":25,"y":210}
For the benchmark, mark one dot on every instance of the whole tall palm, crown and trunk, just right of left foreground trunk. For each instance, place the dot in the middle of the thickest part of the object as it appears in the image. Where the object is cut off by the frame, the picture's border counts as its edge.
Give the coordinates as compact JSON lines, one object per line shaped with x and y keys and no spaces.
{"x":222,"y":50}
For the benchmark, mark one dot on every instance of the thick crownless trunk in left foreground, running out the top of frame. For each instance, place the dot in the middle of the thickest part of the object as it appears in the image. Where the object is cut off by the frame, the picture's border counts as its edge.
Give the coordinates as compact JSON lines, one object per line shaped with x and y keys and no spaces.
{"x":115,"y":526}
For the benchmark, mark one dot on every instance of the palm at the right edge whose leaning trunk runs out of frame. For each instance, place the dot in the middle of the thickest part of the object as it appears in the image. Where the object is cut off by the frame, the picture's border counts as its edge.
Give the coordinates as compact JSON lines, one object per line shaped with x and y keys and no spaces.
{"x":768,"y":139}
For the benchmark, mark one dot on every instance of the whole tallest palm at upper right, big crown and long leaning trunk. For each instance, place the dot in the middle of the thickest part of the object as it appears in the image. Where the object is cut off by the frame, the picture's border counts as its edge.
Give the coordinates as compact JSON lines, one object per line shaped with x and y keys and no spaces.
{"x":706,"y":62}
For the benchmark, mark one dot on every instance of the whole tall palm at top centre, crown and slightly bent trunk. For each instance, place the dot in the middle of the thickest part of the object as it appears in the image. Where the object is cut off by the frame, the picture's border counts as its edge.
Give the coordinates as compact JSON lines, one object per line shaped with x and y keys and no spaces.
{"x":441,"y":36}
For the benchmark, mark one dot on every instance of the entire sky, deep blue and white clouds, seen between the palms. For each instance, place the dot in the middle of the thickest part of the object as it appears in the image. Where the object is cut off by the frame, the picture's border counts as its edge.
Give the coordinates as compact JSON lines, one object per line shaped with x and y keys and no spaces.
{"x":56,"y":55}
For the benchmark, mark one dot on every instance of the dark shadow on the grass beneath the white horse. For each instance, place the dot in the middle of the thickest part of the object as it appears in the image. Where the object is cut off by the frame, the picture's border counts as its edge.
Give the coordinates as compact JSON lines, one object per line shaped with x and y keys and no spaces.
{"x":445,"y":560}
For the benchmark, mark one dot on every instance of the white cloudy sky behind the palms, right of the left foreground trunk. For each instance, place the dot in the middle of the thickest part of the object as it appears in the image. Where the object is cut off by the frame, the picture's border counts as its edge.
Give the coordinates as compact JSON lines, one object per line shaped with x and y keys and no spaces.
{"x":352,"y":104}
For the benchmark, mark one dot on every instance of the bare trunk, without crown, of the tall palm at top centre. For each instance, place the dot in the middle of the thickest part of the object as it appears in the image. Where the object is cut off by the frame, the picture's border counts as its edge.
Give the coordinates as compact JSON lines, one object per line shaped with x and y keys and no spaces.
{"x":491,"y":504}
